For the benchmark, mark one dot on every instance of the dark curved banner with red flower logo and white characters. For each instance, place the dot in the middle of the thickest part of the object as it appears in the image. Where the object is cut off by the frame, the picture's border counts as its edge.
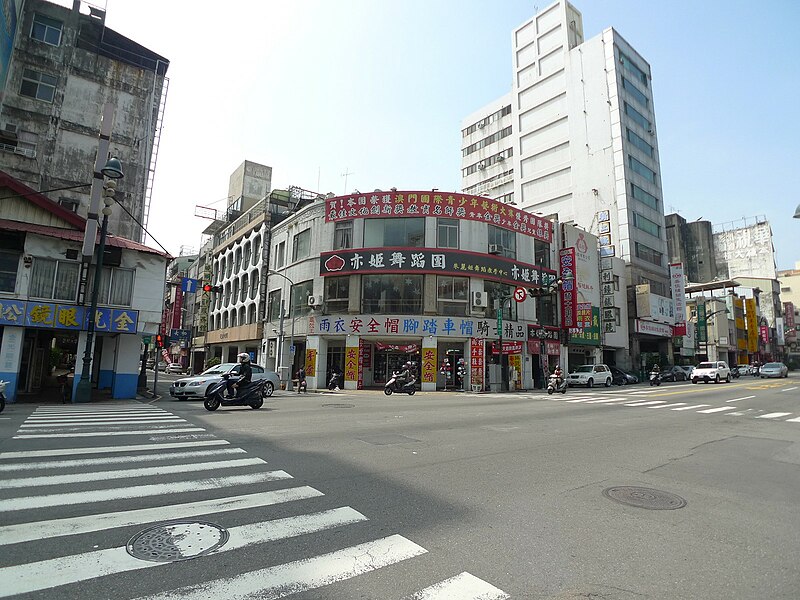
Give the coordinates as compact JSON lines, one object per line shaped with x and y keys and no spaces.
{"x":434,"y":260}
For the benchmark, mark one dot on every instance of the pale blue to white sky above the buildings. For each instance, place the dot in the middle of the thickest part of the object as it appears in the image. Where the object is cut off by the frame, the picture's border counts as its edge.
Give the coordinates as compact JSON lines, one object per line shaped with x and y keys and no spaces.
{"x":377,"y":90}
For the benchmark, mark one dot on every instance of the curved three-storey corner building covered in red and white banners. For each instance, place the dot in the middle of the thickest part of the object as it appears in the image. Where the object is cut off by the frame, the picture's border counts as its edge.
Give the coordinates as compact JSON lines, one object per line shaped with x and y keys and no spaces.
{"x":373,"y":280}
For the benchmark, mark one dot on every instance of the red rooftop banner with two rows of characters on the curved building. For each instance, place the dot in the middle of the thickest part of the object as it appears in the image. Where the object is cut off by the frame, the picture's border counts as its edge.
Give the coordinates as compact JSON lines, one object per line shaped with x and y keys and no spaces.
{"x":387,"y":205}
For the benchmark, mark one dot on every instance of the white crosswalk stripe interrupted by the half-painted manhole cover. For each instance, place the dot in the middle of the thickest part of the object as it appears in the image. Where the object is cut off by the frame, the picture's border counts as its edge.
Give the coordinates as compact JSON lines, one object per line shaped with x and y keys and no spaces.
{"x":47,"y":574}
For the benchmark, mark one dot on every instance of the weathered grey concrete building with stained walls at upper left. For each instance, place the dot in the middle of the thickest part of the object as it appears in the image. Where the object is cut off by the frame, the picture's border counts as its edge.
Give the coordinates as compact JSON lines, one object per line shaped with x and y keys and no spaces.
{"x":62,"y":67}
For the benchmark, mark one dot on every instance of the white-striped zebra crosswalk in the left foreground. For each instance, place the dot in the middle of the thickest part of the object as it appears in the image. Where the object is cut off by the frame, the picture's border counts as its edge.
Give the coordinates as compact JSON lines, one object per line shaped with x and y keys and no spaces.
{"x":84,"y":486}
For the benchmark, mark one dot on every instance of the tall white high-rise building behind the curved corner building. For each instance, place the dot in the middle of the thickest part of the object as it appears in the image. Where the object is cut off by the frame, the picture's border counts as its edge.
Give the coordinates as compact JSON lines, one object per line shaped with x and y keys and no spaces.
{"x":579,"y":139}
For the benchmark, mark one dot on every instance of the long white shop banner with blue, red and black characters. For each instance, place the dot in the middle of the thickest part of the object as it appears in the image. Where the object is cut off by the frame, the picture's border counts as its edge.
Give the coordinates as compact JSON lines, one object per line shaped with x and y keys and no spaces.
{"x":412,"y":326}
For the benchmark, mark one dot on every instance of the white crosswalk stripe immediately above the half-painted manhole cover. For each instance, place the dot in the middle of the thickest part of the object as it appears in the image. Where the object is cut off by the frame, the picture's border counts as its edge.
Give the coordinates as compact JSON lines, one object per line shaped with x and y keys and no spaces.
{"x":41,"y":530}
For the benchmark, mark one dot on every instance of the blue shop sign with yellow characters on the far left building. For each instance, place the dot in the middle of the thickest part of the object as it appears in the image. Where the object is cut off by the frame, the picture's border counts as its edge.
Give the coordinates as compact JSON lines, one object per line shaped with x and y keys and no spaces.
{"x":52,"y":315}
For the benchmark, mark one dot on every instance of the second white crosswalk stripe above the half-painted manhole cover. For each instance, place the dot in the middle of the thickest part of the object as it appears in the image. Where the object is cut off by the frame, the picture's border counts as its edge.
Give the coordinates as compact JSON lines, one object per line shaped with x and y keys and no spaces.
{"x":139,"y":491}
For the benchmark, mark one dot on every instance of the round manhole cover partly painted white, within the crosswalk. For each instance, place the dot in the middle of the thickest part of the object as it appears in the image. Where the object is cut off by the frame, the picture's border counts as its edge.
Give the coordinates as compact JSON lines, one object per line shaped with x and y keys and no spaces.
{"x":177,"y":540}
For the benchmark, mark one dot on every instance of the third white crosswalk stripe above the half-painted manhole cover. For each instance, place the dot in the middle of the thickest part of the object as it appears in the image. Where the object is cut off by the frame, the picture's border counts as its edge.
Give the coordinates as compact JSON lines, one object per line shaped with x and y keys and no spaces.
{"x":49,"y":480}
